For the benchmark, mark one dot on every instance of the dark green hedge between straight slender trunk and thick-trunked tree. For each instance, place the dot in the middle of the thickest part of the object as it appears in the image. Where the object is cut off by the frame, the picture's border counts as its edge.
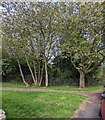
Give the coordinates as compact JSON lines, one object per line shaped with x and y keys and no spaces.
{"x":63,"y":72}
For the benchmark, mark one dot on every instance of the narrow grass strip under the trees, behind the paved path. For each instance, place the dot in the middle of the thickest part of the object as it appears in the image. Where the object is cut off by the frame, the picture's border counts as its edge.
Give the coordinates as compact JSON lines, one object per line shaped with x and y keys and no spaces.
{"x":71,"y":88}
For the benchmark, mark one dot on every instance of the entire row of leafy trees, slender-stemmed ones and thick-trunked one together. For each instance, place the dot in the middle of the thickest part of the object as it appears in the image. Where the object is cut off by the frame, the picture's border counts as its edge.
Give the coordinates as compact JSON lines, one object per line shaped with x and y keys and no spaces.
{"x":35,"y":33}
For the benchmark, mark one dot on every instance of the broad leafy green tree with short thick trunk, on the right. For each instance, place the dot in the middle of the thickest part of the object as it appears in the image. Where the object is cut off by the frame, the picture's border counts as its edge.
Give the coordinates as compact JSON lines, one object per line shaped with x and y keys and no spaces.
{"x":83,"y":38}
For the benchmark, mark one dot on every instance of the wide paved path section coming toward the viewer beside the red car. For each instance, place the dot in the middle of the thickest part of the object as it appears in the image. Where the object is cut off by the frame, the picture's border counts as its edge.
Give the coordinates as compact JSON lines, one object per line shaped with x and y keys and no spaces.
{"x":90,"y":108}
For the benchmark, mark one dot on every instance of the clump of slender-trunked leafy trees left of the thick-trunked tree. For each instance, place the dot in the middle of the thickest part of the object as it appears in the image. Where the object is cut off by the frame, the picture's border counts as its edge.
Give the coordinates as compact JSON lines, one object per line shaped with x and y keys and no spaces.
{"x":31,"y":29}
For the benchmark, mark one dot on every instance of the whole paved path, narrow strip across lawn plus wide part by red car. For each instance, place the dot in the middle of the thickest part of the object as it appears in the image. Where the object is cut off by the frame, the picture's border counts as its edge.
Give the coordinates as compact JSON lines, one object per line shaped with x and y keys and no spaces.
{"x":88,"y":109}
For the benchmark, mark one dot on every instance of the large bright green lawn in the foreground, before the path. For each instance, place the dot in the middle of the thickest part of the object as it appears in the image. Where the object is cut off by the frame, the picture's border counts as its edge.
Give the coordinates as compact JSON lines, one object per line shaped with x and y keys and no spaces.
{"x":40,"y":105}
